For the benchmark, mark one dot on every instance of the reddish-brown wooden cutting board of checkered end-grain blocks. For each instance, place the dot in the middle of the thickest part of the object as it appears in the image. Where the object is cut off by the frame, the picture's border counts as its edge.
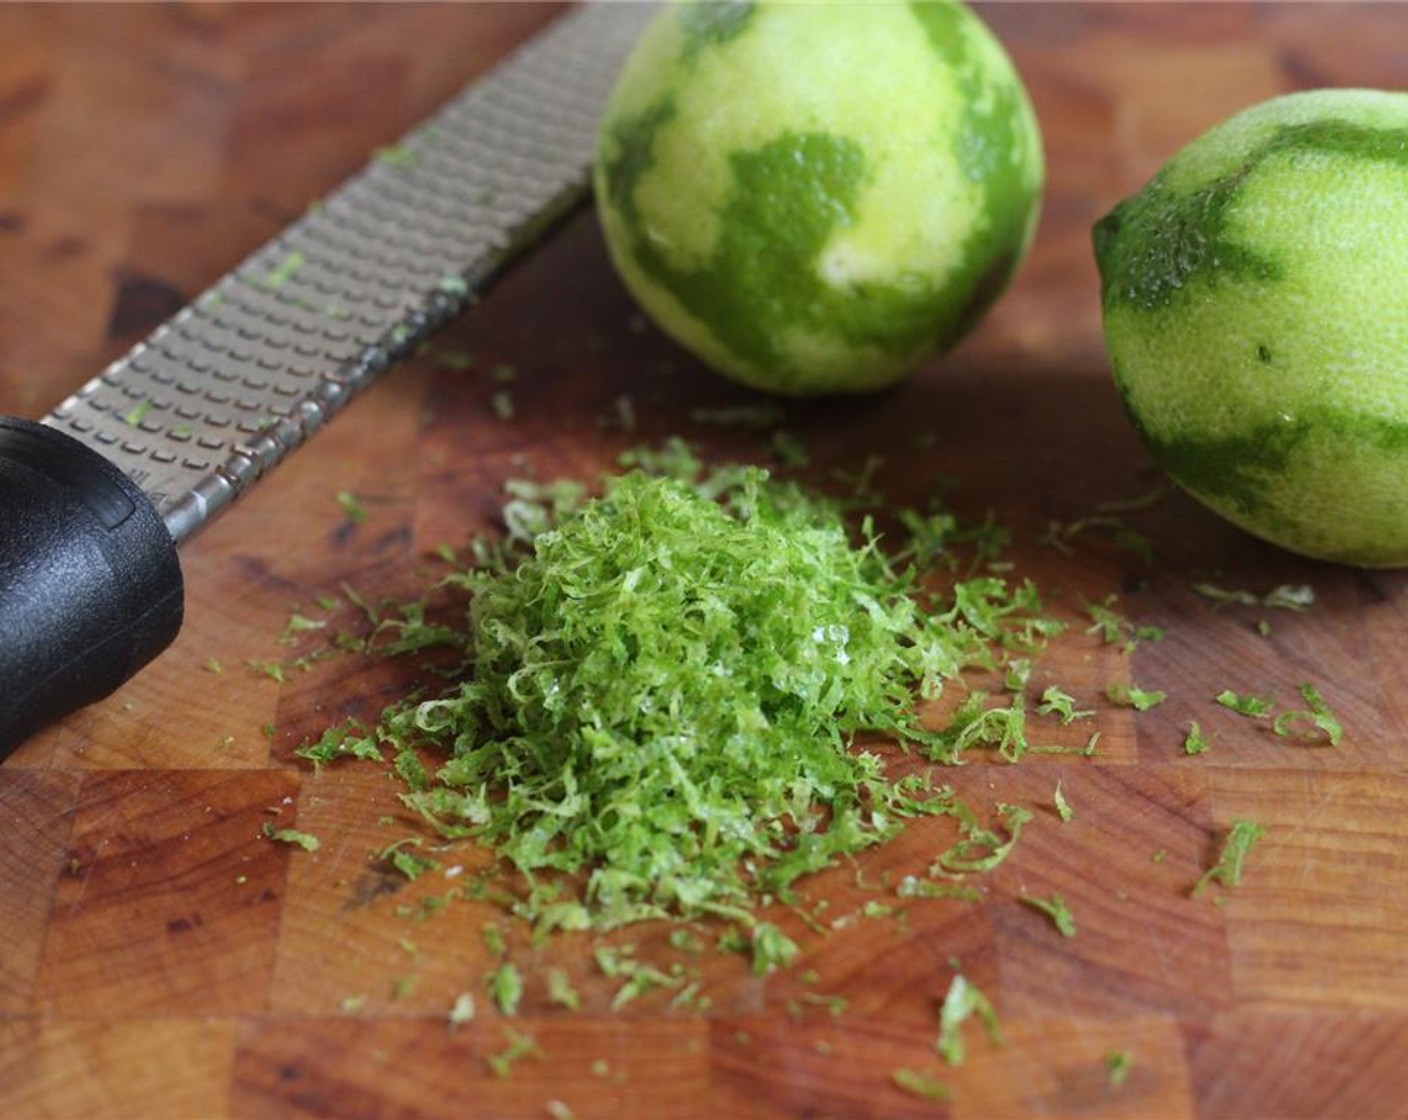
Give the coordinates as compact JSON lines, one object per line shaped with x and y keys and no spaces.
{"x":161,"y":959}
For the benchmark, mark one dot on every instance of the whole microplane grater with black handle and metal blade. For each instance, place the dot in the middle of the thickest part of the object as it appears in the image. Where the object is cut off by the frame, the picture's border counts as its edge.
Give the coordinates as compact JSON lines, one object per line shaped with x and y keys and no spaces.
{"x":96,"y":497}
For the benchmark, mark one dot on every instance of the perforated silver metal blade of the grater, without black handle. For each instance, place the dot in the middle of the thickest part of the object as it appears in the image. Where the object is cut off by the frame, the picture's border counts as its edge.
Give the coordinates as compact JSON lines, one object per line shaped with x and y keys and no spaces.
{"x":222,"y":392}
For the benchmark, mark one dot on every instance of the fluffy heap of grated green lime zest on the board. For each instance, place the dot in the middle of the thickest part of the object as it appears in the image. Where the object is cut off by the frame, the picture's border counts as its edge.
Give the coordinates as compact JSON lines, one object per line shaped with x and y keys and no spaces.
{"x":660,"y":687}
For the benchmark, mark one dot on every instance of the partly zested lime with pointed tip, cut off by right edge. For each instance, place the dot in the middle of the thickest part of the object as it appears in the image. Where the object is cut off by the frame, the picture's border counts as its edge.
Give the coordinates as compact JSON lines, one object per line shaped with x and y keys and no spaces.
{"x":1255,"y":302}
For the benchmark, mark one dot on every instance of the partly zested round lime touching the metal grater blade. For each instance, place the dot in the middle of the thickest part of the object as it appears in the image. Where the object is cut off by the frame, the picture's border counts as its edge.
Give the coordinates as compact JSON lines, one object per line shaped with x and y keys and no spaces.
{"x":817,"y":198}
